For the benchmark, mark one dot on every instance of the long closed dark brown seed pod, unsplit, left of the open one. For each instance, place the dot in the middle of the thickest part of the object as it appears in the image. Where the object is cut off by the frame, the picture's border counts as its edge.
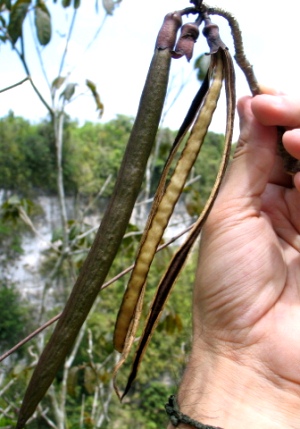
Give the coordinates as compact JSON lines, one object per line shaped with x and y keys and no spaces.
{"x":111,"y":231}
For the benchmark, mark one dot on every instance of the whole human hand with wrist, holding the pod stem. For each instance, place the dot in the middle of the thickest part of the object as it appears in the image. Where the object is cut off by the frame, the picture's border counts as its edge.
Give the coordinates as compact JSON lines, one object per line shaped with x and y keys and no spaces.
{"x":244,"y":369}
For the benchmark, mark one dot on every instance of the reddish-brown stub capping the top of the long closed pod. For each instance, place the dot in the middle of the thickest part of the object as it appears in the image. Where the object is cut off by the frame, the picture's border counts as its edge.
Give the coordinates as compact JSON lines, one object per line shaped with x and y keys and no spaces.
{"x":167,"y":35}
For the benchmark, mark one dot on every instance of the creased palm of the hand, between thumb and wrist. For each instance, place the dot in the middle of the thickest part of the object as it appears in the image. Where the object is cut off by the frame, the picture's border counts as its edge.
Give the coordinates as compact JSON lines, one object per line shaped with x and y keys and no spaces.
{"x":248,"y":290}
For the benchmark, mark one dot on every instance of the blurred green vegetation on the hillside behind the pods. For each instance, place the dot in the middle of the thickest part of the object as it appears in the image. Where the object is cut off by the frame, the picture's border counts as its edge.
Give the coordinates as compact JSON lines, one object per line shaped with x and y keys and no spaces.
{"x":83,"y":392}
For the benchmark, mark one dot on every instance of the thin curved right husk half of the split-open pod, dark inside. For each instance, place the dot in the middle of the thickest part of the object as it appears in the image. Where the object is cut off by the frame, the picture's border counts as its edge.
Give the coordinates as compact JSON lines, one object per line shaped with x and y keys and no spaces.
{"x":167,"y":282}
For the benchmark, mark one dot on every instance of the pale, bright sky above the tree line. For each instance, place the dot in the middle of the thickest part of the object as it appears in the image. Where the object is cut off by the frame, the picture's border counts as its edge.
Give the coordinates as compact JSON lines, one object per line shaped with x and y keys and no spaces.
{"x":118,"y":61}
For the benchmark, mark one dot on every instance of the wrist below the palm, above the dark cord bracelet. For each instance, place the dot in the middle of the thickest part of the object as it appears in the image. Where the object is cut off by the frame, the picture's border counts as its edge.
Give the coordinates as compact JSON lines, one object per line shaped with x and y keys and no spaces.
{"x":218,"y":391}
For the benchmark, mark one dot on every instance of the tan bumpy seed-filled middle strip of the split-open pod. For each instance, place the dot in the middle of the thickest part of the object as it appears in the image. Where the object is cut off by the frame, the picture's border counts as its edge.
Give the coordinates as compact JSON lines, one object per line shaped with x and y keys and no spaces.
{"x":129,"y":314}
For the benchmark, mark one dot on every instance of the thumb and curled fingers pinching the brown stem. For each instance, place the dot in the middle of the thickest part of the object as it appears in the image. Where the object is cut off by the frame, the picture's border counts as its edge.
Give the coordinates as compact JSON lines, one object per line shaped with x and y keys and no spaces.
{"x":256,"y":161}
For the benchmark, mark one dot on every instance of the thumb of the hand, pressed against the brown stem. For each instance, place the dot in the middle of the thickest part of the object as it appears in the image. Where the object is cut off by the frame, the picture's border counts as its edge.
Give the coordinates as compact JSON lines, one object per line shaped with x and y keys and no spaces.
{"x":252,"y":163}
